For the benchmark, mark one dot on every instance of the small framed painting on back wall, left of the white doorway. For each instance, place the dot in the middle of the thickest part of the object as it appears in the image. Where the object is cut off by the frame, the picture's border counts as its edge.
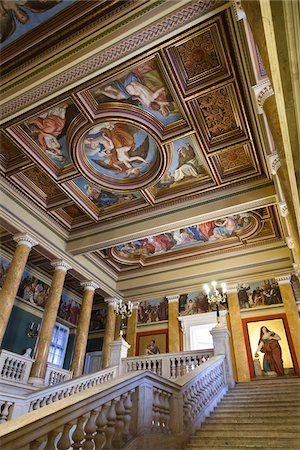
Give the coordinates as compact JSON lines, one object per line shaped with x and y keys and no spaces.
{"x":152,"y":342}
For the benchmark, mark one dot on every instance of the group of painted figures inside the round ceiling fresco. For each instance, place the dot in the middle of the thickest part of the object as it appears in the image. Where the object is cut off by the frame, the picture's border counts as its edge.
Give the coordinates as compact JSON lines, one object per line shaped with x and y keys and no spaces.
{"x":118,"y":148}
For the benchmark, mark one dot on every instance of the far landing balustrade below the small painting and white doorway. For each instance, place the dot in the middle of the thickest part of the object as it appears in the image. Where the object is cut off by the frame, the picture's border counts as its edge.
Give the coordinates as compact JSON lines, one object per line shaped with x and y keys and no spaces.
{"x":168,"y":365}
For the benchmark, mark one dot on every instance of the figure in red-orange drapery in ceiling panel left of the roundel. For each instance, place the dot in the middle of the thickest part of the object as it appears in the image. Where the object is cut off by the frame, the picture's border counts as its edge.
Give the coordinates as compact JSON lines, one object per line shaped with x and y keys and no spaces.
{"x":50,"y":125}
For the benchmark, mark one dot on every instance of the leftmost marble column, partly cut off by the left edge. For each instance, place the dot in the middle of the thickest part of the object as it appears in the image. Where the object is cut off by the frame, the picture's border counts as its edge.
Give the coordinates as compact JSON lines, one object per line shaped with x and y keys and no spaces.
{"x":13,"y":278}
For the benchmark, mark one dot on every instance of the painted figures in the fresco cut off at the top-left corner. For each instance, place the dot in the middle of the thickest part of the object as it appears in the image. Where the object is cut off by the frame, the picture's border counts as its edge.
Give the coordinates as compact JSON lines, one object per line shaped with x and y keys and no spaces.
{"x":13,"y":10}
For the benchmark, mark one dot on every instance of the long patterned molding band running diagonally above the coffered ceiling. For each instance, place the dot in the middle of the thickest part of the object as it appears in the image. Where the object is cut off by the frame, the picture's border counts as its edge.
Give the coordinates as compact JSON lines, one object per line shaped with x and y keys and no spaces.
{"x":108,"y":56}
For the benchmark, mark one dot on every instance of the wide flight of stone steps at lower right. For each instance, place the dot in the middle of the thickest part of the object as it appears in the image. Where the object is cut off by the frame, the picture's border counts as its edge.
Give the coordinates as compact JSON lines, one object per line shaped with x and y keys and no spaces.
{"x":260,"y":415}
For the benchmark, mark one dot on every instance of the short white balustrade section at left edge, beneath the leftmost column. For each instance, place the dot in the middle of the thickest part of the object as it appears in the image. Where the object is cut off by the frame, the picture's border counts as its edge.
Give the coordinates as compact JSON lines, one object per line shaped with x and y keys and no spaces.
{"x":14,"y":367}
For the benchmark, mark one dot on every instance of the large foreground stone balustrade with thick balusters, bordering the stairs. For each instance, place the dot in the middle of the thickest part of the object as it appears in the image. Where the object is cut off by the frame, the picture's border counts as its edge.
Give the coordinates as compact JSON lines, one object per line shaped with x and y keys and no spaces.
{"x":140,"y":408}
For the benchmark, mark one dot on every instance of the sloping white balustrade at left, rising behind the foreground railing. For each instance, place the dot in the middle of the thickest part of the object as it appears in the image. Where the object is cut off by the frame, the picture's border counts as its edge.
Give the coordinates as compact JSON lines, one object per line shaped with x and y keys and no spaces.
{"x":12,"y":406}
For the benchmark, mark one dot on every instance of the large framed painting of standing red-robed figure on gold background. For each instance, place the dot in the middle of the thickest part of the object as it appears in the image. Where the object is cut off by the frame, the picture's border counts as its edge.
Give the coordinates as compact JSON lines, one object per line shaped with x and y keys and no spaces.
{"x":269,"y":346}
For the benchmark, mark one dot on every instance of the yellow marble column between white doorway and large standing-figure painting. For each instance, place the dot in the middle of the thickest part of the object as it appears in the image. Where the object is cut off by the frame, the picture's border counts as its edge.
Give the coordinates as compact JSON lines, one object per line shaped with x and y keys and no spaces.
{"x":237,"y":335}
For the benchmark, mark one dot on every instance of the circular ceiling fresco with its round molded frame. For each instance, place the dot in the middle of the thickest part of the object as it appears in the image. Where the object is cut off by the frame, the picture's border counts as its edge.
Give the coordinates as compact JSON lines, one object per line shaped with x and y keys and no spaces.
{"x":119,"y":156}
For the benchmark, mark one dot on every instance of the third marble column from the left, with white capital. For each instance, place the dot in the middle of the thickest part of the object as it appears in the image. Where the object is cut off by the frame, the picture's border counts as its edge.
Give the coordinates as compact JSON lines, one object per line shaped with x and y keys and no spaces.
{"x":83,"y":328}
